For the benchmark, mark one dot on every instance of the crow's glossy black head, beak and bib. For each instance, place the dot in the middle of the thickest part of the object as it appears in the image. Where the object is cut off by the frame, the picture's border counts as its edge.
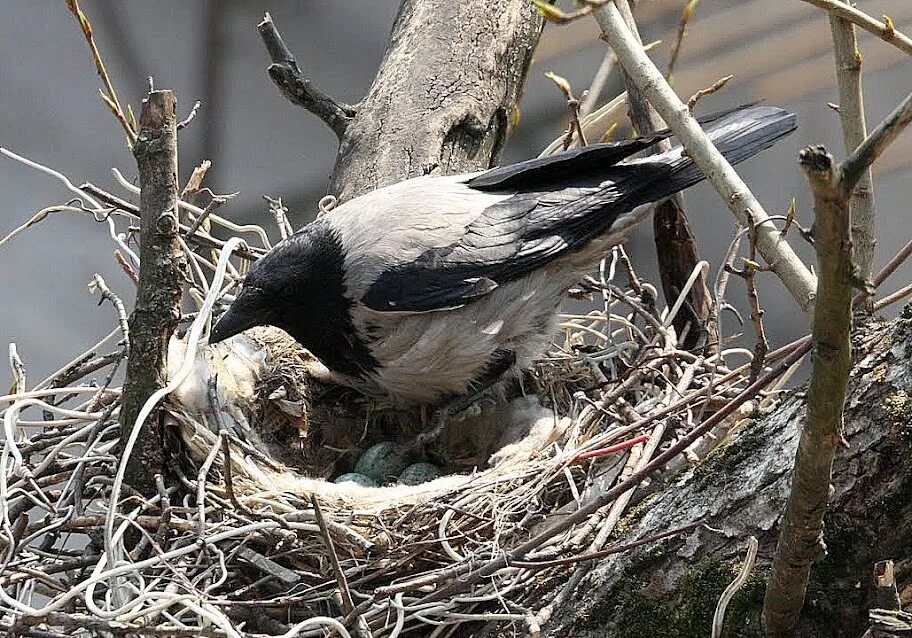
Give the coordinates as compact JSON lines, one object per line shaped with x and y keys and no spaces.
{"x":299,"y":286}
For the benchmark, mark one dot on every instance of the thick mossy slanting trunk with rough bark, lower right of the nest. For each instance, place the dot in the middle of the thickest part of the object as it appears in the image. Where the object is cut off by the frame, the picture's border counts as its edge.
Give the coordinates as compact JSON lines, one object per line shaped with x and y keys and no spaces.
{"x":671,"y":589}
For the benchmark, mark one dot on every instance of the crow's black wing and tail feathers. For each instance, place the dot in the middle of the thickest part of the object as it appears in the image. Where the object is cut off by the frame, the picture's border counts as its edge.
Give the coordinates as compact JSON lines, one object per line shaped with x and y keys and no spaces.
{"x":538,"y":224}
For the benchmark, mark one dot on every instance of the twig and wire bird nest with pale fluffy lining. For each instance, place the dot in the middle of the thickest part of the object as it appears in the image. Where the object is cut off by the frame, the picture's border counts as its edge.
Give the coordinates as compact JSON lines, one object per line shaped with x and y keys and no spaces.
{"x":246,"y":534}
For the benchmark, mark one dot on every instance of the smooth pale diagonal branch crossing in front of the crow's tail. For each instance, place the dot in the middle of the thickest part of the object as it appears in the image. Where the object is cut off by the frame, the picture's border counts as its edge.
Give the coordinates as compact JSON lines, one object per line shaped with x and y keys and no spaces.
{"x":737,"y":196}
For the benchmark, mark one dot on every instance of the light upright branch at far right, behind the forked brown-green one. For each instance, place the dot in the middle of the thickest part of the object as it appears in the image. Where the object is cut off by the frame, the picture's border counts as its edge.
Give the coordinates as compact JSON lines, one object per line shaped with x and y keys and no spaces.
{"x":854,"y":131}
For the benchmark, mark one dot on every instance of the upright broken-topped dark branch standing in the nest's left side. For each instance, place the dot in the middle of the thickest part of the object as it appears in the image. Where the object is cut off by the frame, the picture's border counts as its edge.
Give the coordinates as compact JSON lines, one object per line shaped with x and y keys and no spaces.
{"x":157,"y":309}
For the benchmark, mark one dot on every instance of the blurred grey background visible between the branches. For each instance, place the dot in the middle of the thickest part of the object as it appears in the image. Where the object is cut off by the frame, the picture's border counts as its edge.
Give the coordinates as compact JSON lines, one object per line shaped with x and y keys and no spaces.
{"x":779,"y":50}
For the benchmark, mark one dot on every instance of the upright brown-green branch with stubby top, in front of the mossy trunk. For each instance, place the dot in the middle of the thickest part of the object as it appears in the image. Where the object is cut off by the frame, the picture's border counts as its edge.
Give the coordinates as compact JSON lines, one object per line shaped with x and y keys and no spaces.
{"x":802,"y":527}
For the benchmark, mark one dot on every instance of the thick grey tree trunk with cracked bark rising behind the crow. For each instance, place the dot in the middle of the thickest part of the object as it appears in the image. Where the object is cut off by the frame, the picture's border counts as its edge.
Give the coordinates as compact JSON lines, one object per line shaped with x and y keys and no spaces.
{"x":444,"y":96}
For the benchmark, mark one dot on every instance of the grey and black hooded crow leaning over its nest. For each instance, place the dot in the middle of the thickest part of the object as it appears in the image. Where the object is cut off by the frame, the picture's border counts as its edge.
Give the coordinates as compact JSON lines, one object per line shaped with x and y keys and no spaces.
{"x":420,"y":291}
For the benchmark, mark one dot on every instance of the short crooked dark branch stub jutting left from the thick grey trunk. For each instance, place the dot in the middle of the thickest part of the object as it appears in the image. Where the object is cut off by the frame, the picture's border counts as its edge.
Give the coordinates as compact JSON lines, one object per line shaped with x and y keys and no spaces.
{"x":287,"y":75}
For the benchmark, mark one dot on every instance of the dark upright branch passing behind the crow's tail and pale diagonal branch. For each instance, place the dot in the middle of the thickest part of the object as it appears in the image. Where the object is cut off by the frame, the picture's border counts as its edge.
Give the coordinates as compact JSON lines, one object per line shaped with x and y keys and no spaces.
{"x":676,"y":247}
